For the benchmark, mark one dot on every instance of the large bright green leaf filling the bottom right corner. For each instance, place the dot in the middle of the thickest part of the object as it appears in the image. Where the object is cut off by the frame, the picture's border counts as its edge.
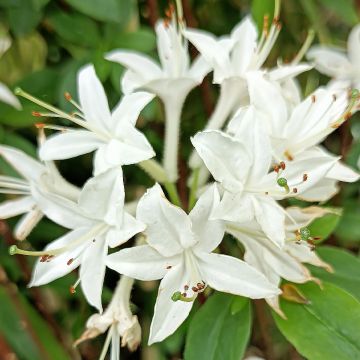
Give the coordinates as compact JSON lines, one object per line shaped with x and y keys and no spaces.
{"x":328,"y":328}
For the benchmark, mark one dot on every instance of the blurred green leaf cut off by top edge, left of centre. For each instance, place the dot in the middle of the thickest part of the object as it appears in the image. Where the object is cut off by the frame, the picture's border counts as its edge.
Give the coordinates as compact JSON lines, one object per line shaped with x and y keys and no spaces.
{"x":104,"y":10}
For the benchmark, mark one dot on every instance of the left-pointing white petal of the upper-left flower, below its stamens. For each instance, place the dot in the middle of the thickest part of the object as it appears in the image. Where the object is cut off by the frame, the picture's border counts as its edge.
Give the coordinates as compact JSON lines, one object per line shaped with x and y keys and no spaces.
{"x":69,"y":144}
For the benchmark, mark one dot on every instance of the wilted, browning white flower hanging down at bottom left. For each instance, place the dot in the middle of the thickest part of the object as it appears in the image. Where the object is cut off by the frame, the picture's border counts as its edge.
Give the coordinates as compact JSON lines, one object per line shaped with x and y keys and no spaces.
{"x":117,"y":320}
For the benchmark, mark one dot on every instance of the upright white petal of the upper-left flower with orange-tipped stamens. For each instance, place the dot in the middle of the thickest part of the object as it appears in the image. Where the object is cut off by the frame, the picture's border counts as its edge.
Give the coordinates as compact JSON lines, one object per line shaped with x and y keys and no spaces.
{"x":92,"y":98}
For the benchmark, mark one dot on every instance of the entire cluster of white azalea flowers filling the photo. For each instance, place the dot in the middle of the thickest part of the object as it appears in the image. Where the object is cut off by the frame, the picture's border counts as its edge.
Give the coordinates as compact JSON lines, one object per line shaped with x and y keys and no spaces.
{"x":261,"y":147}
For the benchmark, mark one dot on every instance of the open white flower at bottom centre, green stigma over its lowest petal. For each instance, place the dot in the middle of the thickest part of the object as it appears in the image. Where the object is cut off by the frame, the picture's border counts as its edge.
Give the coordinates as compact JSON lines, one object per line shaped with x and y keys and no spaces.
{"x":179,"y":252}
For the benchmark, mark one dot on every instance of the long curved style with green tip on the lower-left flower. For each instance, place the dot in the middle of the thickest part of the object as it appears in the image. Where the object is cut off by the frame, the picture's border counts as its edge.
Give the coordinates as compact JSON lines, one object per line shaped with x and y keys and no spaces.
{"x":95,"y":231}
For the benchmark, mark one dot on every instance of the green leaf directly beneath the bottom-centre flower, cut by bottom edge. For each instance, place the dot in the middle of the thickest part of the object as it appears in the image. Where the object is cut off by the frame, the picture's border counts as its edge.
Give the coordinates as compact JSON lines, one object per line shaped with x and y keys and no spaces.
{"x":220,"y":329}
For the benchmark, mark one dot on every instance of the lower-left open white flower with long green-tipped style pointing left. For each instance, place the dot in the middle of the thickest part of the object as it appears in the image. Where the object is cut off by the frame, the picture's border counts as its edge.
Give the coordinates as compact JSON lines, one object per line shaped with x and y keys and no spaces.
{"x":96,"y":221}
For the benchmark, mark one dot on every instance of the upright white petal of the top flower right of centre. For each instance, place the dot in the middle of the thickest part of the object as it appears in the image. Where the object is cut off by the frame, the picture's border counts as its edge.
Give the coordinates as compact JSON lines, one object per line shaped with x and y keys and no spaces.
{"x":245,"y":37}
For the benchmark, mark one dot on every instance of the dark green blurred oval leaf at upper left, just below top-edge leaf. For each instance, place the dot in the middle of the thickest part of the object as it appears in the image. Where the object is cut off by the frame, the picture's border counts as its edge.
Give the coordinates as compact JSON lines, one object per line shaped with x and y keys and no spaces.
{"x":75,"y":28}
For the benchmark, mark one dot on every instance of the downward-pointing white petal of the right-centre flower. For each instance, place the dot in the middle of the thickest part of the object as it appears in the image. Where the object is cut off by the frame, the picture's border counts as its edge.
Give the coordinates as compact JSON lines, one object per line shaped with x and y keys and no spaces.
{"x":271,"y":218}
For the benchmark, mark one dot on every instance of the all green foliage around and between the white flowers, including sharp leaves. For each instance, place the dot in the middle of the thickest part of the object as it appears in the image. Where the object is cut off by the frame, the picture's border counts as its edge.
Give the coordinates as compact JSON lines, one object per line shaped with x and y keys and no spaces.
{"x":52,"y":39}
